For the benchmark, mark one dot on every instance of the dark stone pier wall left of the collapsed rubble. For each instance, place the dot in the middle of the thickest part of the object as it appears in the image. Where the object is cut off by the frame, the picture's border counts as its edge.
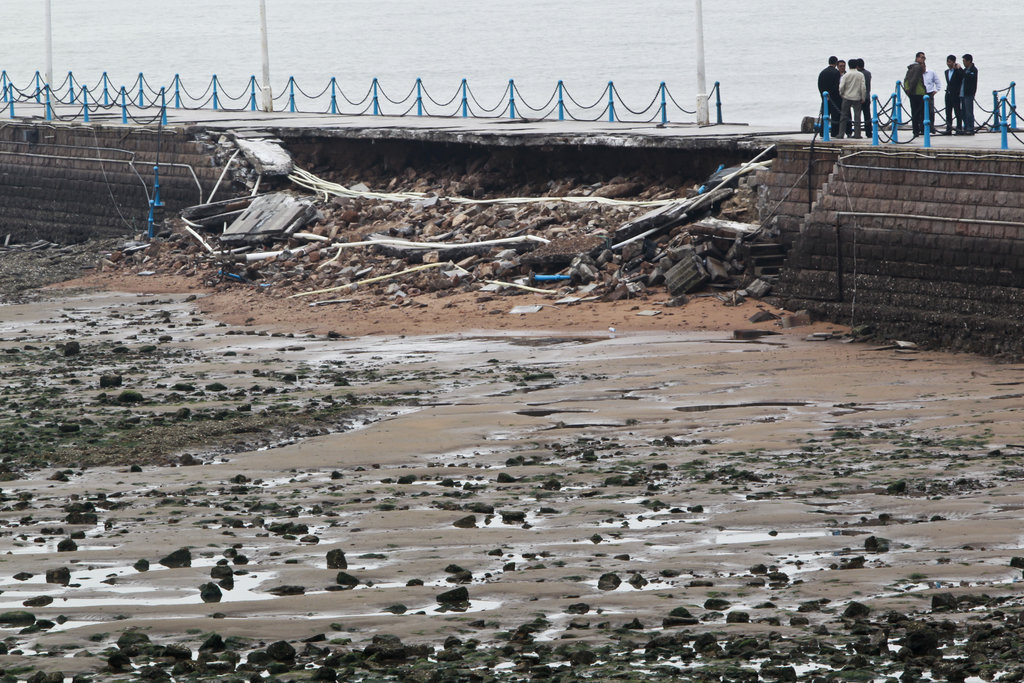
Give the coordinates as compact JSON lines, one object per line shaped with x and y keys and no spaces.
{"x":68,"y":184}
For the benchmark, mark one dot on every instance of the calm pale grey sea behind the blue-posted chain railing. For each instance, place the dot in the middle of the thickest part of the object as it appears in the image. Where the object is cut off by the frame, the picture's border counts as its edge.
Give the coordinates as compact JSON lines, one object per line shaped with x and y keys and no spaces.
{"x":766,"y":55}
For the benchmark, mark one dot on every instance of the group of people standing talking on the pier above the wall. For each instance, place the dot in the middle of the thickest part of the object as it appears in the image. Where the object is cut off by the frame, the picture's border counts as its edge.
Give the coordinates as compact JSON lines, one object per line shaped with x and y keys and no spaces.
{"x":849,"y":96}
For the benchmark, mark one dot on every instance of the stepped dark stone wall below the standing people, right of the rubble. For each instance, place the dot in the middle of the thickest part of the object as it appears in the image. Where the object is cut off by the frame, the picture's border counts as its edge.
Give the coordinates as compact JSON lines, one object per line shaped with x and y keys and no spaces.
{"x":926,"y":247}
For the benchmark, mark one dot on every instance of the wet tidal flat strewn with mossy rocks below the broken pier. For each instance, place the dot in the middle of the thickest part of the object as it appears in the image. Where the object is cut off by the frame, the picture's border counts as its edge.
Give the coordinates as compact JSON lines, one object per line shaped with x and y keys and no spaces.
{"x":662,"y":505}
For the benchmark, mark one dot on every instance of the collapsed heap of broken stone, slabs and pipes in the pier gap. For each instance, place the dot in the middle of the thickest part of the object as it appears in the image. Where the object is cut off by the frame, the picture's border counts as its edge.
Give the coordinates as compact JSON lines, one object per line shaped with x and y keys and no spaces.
{"x":608,"y":241}
